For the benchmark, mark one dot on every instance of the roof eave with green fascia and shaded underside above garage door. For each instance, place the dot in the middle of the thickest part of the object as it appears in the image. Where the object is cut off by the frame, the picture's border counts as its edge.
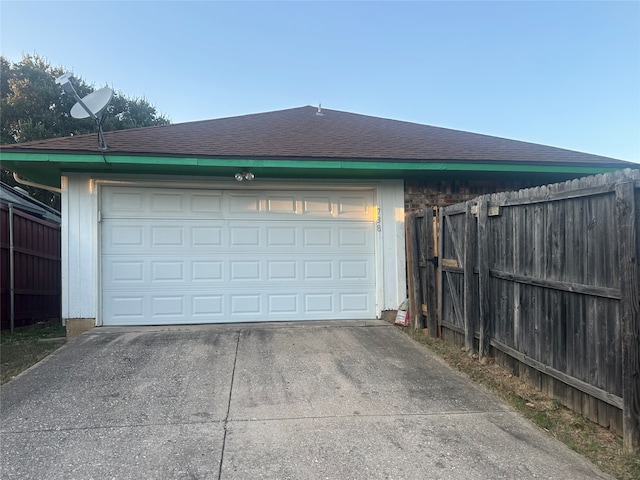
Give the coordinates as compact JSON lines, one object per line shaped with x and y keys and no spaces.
{"x":52,"y":165}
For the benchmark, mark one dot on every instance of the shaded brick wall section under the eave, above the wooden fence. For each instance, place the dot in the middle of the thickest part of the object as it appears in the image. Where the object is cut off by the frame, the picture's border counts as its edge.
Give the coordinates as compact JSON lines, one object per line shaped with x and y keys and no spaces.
{"x":421,"y":193}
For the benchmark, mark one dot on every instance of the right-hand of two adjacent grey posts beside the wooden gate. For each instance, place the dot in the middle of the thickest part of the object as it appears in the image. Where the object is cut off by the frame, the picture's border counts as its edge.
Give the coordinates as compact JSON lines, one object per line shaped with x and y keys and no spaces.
{"x":483,"y":280}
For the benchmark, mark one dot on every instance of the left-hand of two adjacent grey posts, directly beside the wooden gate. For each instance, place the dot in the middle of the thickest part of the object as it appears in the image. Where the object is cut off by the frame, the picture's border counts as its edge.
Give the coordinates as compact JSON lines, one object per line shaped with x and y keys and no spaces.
{"x":470,"y":239}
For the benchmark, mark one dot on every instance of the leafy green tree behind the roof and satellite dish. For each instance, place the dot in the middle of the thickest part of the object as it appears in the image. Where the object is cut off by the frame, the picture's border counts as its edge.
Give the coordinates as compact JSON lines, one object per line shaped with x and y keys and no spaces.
{"x":34,"y":107}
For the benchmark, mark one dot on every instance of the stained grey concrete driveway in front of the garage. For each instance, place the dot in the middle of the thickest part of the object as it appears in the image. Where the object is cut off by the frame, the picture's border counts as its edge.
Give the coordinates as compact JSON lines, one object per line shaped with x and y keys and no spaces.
{"x":318,"y":400}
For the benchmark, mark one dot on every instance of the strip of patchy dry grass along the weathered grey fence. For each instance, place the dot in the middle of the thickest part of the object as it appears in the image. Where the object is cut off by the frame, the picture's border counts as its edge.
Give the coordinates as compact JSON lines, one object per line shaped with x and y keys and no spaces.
{"x":598,"y":444}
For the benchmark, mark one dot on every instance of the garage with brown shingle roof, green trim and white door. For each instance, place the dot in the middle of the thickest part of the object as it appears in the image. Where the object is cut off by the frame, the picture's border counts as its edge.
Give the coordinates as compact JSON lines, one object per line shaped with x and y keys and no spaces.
{"x":156,"y":229}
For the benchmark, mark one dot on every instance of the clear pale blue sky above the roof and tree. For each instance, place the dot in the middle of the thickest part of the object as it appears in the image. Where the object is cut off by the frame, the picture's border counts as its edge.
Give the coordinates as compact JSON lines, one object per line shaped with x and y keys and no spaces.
{"x":565,"y":74}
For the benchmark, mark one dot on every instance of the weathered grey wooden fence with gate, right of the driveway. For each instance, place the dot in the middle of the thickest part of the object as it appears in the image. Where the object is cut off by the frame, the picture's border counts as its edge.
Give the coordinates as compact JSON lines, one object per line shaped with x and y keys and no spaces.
{"x":544,"y":280}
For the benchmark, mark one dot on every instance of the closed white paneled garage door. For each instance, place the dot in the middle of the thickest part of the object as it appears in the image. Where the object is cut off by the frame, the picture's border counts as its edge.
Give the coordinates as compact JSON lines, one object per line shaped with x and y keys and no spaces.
{"x":171,"y":256}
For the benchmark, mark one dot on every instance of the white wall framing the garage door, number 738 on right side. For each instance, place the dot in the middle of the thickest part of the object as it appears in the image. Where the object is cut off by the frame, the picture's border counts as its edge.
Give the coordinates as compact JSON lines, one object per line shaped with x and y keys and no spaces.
{"x":81,"y":238}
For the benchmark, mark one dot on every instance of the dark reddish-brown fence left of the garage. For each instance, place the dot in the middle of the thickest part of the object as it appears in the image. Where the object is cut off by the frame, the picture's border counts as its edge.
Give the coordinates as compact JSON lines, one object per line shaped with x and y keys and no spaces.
{"x":30,"y":279}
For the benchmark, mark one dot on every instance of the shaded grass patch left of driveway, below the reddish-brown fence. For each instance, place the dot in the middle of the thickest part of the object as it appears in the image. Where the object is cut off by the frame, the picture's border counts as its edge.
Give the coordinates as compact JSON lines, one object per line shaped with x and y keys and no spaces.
{"x":27,"y":346}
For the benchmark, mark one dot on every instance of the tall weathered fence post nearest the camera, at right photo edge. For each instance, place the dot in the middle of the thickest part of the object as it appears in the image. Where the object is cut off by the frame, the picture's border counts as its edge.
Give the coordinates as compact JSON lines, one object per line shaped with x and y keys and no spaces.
{"x":629,"y":313}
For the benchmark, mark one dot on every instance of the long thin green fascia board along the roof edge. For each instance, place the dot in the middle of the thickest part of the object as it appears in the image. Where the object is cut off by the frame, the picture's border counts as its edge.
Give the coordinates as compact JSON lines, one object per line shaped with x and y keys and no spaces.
{"x":99,"y":159}
